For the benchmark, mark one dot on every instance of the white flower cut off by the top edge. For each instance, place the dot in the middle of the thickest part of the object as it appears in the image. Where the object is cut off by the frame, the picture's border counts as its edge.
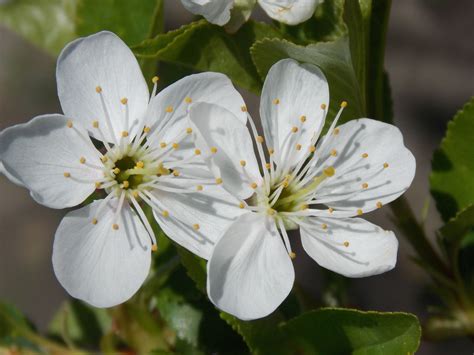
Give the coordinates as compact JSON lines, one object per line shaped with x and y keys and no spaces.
{"x":291,"y":12}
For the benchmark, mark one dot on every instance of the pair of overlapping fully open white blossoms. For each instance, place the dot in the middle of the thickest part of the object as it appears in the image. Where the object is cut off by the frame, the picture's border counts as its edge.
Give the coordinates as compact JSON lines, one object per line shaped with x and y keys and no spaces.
{"x":188,"y":154}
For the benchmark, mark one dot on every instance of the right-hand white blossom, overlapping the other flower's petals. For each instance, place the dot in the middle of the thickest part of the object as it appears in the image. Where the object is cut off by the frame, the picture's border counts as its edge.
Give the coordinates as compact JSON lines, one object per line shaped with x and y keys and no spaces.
{"x":307,"y":184}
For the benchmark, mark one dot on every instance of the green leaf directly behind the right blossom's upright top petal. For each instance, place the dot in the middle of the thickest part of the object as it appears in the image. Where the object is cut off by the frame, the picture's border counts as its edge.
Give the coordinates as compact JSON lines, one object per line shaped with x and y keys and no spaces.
{"x":333,"y":58}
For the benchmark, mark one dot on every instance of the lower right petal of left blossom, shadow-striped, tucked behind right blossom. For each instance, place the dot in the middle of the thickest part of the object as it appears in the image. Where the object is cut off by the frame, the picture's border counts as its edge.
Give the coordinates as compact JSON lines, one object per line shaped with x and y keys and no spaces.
{"x":197,"y":220}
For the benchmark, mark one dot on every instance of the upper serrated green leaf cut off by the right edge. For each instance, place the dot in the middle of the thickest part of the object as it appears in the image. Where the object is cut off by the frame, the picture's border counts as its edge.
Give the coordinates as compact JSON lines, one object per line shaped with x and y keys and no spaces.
{"x":452,"y":179}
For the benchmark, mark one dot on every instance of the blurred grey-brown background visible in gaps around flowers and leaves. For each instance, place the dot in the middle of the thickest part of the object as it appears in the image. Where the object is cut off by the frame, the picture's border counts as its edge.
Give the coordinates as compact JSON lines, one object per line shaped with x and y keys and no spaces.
{"x":430,"y":60}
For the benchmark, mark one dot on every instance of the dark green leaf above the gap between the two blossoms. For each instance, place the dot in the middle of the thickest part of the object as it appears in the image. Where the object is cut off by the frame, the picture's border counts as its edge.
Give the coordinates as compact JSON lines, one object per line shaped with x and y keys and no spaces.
{"x":206,"y":47}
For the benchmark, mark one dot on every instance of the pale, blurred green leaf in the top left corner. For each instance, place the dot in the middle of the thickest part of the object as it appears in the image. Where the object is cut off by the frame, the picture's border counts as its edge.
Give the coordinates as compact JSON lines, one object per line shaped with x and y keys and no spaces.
{"x":49,"y":24}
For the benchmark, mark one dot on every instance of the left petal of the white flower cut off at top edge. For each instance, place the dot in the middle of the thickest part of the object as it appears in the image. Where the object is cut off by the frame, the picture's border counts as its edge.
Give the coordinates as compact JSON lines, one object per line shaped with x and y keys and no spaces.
{"x":215,"y":11}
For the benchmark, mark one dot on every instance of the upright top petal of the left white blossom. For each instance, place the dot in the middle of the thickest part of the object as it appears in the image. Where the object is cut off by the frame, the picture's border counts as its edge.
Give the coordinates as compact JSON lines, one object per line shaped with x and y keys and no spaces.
{"x":103,"y":60}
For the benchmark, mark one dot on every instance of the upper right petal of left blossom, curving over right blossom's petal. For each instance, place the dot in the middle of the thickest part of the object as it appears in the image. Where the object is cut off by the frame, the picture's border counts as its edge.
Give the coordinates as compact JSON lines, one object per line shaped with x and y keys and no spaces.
{"x":169,"y":109}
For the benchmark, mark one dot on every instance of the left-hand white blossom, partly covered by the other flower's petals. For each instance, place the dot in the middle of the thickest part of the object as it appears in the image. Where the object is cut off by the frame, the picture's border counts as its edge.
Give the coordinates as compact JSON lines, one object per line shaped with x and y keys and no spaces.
{"x":101,"y":252}
